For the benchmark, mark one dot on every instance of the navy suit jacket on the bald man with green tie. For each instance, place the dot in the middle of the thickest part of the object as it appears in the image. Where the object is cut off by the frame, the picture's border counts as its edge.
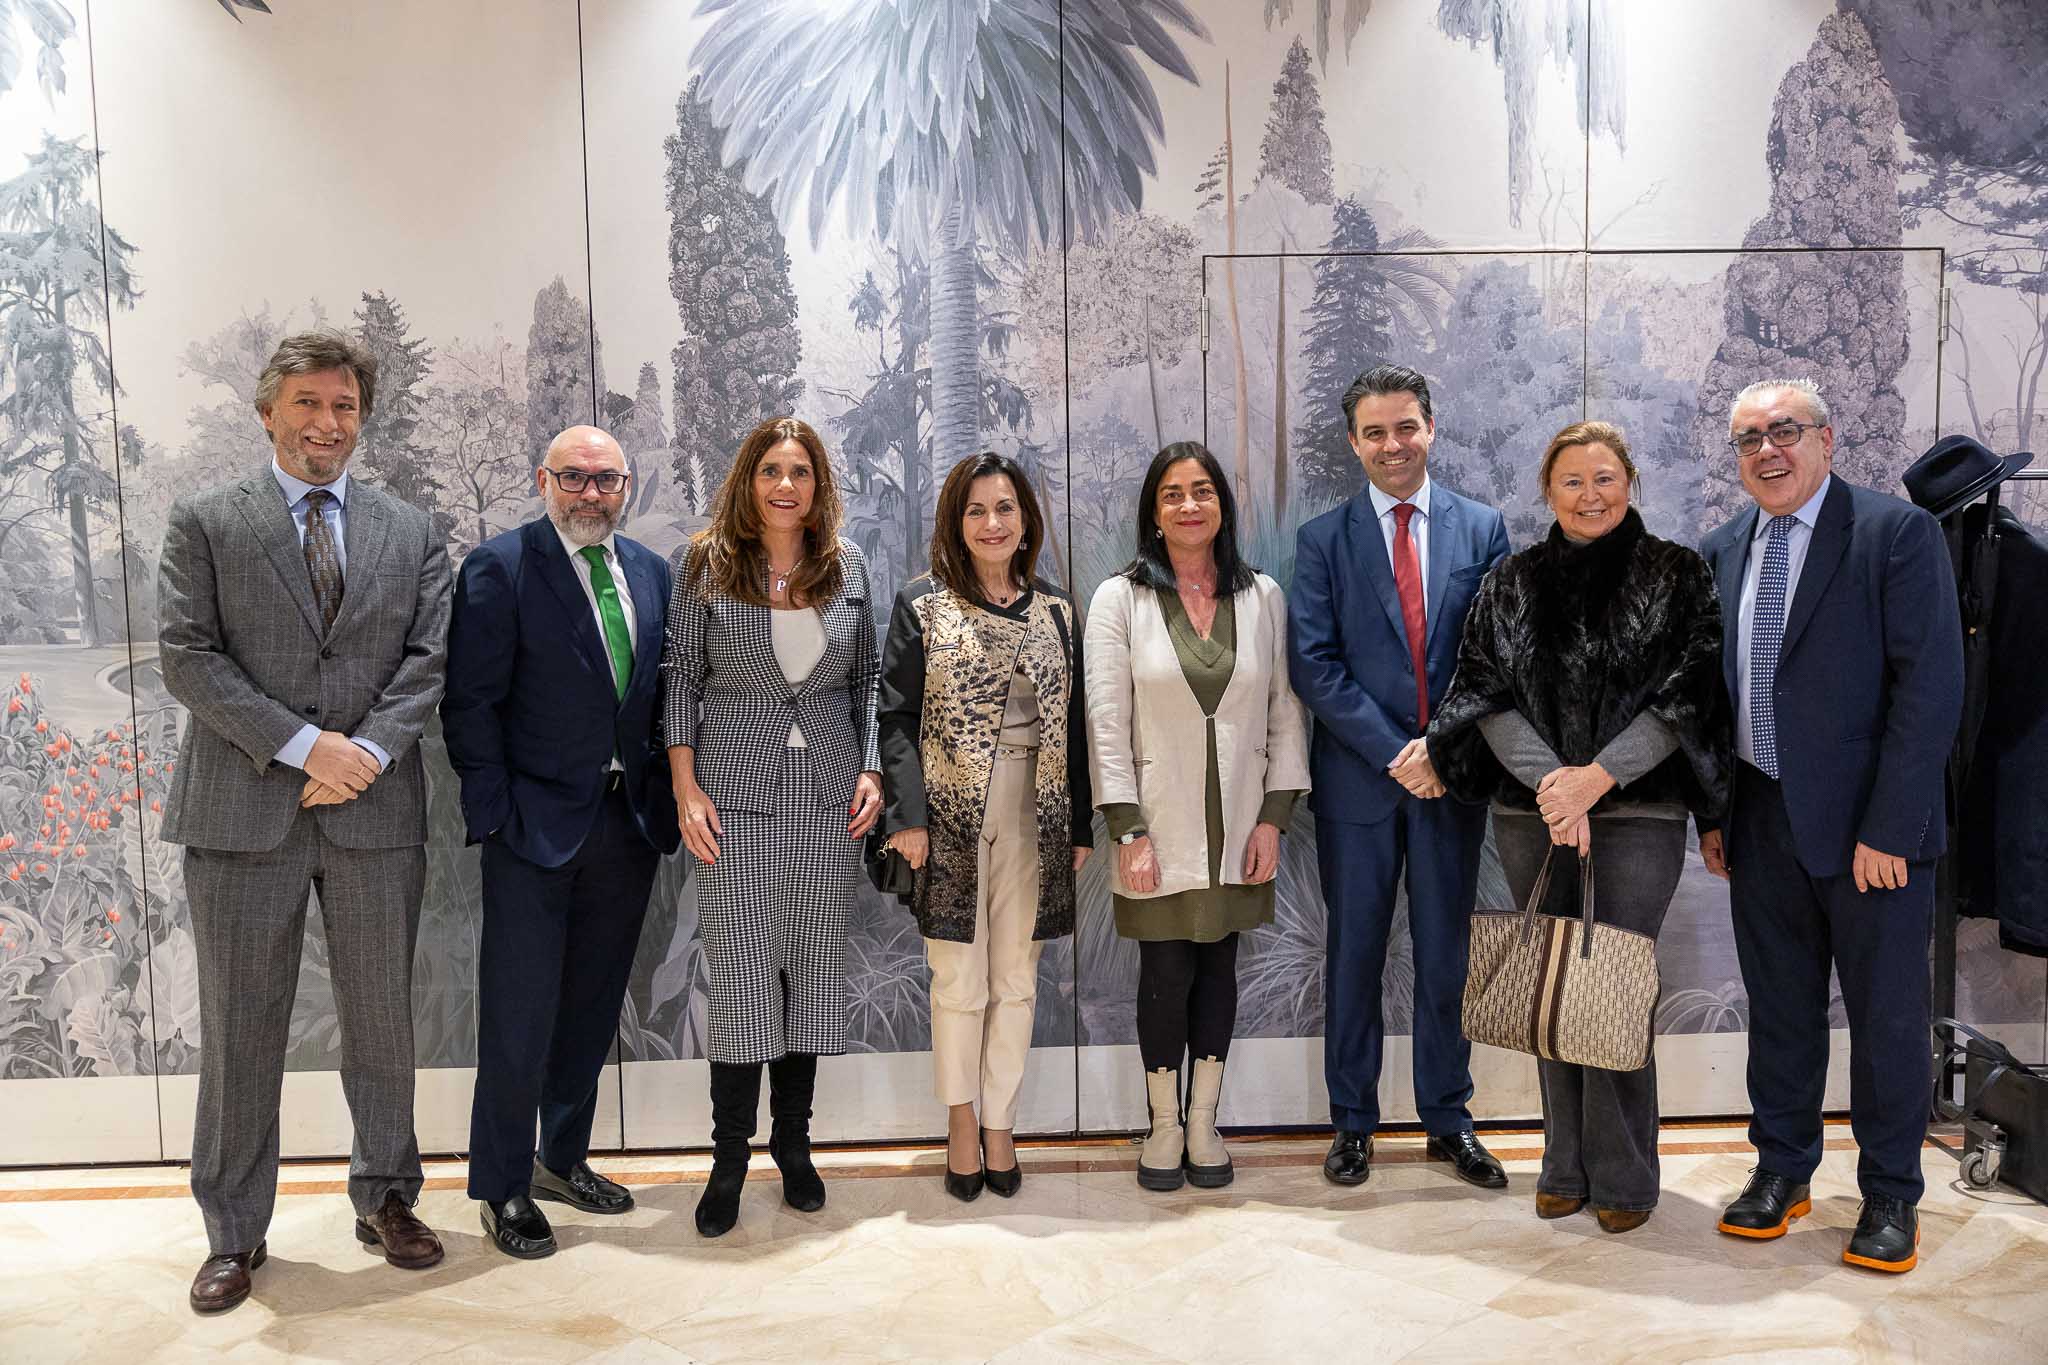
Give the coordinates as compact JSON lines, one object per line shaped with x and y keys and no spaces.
{"x":531,"y":713}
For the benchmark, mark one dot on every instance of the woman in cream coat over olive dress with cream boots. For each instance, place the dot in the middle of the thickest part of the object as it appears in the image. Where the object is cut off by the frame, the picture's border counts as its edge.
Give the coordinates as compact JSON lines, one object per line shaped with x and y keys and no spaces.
{"x":1189,"y":642}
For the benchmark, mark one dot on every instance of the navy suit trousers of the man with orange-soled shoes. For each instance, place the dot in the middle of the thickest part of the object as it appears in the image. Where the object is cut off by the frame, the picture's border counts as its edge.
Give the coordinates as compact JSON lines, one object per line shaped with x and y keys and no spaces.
{"x":1789,"y":930}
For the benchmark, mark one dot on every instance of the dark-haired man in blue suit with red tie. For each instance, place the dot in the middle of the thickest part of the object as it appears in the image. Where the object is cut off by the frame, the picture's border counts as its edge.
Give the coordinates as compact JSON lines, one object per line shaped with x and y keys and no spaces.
{"x":1379,"y":601}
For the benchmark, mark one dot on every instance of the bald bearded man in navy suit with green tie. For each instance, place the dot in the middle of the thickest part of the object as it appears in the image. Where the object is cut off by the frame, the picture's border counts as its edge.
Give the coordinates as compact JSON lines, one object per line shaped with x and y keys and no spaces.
{"x":554,"y":676}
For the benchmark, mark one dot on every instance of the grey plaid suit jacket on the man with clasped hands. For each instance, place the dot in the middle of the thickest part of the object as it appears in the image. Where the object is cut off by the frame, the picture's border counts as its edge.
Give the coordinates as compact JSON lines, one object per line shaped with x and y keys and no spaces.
{"x":243,"y":650}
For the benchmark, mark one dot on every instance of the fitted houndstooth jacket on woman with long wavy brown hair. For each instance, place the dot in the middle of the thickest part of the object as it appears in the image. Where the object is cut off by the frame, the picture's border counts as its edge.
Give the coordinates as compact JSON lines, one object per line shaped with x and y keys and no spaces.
{"x":726,"y":697}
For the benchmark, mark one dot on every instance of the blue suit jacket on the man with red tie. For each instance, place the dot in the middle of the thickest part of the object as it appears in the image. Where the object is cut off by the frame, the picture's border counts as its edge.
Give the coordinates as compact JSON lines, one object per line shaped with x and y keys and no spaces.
{"x":1349,"y":650}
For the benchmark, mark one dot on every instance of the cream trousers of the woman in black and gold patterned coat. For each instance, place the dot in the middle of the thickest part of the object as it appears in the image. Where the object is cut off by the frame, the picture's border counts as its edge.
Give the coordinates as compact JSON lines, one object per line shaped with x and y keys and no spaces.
{"x":984,"y":992}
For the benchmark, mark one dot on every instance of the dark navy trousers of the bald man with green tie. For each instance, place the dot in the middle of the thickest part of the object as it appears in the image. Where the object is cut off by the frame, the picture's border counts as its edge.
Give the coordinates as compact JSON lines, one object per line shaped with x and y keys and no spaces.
{"x":552,"y":975}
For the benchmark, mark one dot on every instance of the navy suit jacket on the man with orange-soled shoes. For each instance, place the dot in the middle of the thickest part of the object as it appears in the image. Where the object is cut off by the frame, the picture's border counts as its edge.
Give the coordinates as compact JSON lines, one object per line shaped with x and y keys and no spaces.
{"x":1869,"y":676}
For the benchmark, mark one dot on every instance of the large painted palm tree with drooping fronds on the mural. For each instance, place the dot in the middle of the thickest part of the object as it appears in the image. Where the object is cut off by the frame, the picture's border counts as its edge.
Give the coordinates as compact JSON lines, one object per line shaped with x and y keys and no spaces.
{"x":939,"y":128}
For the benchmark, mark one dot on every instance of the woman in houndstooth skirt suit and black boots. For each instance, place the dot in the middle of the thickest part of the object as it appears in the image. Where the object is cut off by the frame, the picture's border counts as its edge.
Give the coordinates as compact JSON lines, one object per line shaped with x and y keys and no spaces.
{"x":769,"y":715}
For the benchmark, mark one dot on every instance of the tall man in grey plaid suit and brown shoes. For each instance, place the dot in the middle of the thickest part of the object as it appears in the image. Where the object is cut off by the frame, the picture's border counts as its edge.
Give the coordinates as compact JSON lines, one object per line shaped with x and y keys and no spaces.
{"x":304,"y":621}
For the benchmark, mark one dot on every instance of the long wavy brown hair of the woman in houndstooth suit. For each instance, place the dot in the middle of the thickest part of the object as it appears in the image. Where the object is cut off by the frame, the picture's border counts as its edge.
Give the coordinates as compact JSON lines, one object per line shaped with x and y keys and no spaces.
{"x":728,"y":556}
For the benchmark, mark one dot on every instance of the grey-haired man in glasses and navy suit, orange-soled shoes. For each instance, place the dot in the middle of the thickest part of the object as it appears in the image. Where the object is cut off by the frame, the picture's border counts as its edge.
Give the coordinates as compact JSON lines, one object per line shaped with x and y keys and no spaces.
{"x":1844,"y":662}
